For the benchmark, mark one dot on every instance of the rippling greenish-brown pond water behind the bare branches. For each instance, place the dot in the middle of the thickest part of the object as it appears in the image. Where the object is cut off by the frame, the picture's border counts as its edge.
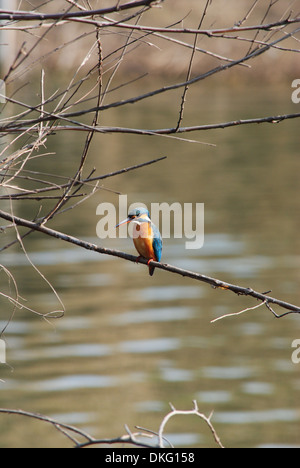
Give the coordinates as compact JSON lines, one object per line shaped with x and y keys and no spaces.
{"x":129,"y":344}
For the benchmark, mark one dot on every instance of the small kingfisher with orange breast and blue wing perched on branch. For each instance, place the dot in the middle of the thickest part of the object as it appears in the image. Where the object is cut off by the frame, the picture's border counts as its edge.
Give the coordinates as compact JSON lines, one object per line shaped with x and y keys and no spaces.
{"x":146,"y":236}
